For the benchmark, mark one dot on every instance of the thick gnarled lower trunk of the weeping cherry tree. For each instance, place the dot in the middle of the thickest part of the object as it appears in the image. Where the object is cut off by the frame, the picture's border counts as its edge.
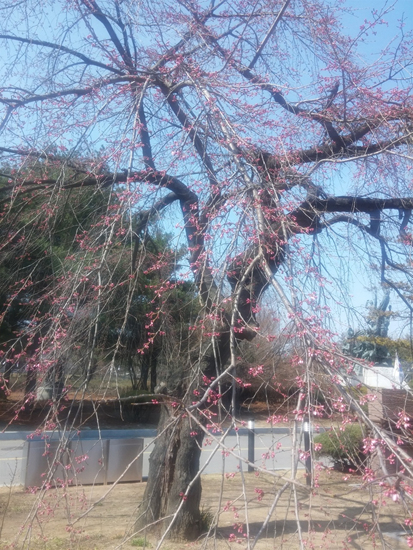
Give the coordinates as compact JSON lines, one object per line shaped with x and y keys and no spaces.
{"x":174,"y":462}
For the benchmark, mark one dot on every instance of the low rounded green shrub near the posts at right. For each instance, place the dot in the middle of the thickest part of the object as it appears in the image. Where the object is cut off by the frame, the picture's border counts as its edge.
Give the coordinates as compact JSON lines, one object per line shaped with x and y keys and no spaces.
{"x":344,"y":447}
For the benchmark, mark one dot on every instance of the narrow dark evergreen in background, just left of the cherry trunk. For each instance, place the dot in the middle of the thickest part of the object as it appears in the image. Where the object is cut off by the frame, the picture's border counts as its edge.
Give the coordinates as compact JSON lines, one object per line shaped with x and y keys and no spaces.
{"x":156,"y":323}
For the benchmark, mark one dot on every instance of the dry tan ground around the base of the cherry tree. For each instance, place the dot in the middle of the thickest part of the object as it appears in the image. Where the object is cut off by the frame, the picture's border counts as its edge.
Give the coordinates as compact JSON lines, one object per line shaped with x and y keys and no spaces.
{"x":336,"y":515}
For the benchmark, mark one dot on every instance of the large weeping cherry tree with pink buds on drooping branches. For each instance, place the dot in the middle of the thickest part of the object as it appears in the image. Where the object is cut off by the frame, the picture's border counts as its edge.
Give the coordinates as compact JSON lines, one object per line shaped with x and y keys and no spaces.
{"x":278,"y":152}
